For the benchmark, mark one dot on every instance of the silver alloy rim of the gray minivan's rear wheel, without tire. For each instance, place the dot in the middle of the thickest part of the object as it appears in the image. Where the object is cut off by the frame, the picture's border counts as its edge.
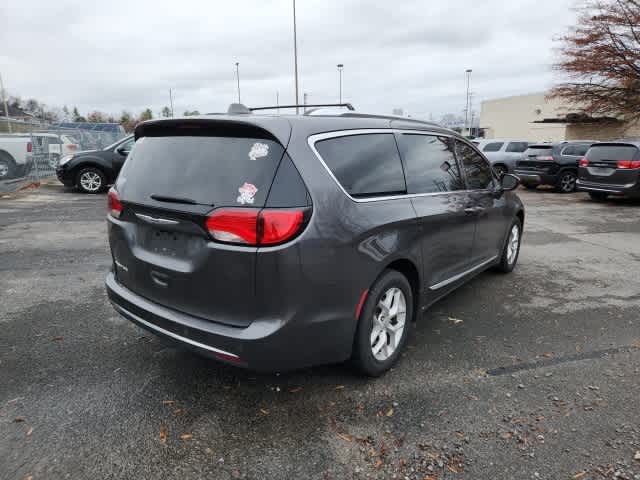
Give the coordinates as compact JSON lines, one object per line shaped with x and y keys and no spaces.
{"x":389,"y":319}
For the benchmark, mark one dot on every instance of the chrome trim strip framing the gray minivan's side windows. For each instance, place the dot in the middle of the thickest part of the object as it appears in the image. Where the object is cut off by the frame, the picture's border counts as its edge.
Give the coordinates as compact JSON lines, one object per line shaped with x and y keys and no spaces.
{"x":311,"y":141}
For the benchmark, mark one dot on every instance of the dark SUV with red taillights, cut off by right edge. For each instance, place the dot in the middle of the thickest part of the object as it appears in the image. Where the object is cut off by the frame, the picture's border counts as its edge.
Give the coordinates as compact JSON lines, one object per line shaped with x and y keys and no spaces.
{"x":611,"y":168}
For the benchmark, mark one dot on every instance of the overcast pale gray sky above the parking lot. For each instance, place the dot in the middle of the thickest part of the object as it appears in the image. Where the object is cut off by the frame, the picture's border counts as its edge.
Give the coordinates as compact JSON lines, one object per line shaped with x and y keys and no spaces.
{"x":408,"y":54}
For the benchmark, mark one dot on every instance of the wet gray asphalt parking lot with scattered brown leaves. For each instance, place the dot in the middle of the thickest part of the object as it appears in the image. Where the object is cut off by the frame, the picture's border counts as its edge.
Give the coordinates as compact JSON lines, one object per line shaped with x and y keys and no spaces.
{"x":528,"y":375}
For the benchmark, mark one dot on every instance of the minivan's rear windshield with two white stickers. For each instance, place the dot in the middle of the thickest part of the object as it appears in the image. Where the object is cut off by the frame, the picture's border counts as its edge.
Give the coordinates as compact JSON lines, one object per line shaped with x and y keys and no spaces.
{"x":208,"y":170}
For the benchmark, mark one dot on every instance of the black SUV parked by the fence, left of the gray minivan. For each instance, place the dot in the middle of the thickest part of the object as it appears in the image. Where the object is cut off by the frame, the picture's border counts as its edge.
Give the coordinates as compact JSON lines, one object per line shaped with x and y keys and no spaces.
{"x":92,"y":171}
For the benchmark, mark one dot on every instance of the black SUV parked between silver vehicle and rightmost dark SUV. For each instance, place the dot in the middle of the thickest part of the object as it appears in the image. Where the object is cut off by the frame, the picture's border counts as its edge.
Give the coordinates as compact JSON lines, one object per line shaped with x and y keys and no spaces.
{"x":554,"y":164}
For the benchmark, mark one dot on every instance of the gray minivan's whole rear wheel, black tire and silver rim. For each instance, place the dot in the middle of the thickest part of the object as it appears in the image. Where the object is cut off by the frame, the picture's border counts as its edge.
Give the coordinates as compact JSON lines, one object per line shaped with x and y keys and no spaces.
{"x":384,"y":323}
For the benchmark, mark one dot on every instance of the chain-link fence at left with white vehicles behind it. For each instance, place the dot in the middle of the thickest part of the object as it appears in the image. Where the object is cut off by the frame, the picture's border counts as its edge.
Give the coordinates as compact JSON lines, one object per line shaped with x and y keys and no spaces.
{"x":30,"y":150}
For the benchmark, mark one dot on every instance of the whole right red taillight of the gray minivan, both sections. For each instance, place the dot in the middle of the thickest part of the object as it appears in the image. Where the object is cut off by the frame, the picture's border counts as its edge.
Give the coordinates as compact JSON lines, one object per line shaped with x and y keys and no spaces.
{"x":252,"y":226}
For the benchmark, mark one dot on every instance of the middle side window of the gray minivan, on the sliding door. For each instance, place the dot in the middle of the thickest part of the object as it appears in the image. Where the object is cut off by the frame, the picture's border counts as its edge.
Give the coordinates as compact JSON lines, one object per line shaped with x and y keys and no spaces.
{"x":430,"y":164}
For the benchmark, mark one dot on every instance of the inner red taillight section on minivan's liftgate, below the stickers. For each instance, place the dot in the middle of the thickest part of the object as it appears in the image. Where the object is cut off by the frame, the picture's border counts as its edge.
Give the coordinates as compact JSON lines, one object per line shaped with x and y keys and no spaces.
{"x":234,"y":225}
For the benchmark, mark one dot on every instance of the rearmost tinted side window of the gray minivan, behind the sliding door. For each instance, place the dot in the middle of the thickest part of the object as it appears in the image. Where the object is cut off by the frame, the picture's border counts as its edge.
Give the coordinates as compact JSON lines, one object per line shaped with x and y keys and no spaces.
{"x":364,"y":164}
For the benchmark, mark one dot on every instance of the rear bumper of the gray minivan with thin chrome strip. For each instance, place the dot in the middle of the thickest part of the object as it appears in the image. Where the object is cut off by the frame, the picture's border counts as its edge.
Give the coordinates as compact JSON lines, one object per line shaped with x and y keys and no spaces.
{"x":265,"y":345}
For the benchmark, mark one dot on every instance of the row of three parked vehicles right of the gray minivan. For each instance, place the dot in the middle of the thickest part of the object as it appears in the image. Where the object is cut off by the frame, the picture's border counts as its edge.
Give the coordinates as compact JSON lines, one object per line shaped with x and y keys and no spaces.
{"x":599,"y":168}
